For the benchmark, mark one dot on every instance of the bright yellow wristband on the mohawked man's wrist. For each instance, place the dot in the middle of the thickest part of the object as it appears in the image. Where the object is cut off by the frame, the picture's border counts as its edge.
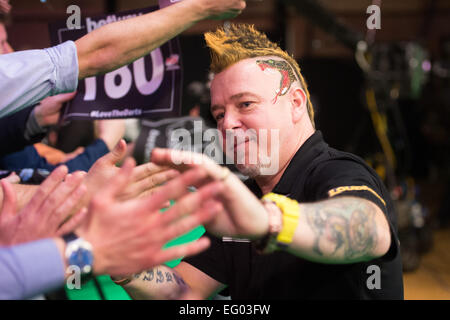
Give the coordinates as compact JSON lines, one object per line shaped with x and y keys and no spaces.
{"x":291,"y":214}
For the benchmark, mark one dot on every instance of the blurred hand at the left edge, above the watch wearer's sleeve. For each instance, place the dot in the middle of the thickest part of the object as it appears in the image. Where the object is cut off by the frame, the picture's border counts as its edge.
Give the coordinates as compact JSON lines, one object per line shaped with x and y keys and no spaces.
{"x":47,"y":214}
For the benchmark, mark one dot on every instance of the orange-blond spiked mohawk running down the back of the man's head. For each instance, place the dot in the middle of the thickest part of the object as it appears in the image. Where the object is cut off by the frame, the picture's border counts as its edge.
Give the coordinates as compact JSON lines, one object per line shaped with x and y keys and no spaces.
{"x":237,"y":42}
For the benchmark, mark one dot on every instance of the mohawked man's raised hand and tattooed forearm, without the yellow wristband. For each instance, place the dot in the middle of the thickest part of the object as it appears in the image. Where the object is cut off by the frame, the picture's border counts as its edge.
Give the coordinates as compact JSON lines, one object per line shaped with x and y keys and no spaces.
{"x":338,"y":230}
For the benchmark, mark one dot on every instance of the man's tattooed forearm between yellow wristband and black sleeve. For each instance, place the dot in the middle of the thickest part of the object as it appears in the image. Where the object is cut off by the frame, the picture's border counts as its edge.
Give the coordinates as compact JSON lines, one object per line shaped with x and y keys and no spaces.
{"x":341,"y":230}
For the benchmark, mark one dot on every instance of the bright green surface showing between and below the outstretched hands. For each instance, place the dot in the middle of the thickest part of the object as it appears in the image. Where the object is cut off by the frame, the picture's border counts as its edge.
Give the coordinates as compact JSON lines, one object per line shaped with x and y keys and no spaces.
{"x":110,"y":290}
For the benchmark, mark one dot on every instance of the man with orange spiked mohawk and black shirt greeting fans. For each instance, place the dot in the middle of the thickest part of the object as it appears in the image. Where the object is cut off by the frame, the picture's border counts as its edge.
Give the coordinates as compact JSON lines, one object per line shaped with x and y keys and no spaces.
{"x":325,"y":226}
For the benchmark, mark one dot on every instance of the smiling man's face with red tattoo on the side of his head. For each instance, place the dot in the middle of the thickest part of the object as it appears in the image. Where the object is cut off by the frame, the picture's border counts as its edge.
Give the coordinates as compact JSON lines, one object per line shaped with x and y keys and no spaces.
{"x":250,"y":99}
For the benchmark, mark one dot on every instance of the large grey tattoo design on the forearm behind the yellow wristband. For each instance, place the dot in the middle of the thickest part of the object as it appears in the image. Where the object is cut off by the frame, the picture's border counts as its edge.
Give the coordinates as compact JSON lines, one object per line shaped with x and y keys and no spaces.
{"x":347,"y":224}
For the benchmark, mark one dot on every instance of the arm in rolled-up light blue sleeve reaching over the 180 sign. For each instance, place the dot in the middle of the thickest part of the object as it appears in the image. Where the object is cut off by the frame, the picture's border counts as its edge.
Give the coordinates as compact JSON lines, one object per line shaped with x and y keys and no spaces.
{"x":29,"y":76}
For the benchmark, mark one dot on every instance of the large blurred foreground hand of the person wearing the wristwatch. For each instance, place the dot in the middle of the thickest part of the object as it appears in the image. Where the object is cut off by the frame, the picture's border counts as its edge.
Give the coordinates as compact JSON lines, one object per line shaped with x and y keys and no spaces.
{"x":128,"y":236}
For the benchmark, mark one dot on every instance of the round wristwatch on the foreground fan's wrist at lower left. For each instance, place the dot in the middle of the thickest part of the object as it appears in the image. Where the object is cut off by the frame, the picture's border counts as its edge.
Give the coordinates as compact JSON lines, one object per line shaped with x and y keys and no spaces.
{"x":79,"y":253}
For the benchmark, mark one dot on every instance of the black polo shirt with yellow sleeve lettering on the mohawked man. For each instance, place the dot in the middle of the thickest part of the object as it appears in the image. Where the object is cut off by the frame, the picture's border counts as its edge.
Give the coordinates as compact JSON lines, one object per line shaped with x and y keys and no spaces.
{"x":315,"y":173}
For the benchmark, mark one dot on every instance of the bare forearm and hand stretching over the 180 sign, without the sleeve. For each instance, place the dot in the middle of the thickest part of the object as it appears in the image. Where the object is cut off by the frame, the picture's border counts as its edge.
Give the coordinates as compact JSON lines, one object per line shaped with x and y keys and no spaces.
{"x":117,"y":44}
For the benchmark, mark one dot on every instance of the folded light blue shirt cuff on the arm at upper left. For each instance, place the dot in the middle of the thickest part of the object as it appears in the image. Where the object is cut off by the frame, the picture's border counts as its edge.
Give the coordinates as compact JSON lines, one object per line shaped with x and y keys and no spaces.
{"x":65,"y":59}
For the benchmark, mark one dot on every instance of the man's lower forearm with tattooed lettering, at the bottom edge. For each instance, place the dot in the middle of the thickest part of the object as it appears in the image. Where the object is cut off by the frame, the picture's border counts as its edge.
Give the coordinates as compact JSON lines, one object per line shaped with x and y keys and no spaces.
{"x":162,"y":282}
